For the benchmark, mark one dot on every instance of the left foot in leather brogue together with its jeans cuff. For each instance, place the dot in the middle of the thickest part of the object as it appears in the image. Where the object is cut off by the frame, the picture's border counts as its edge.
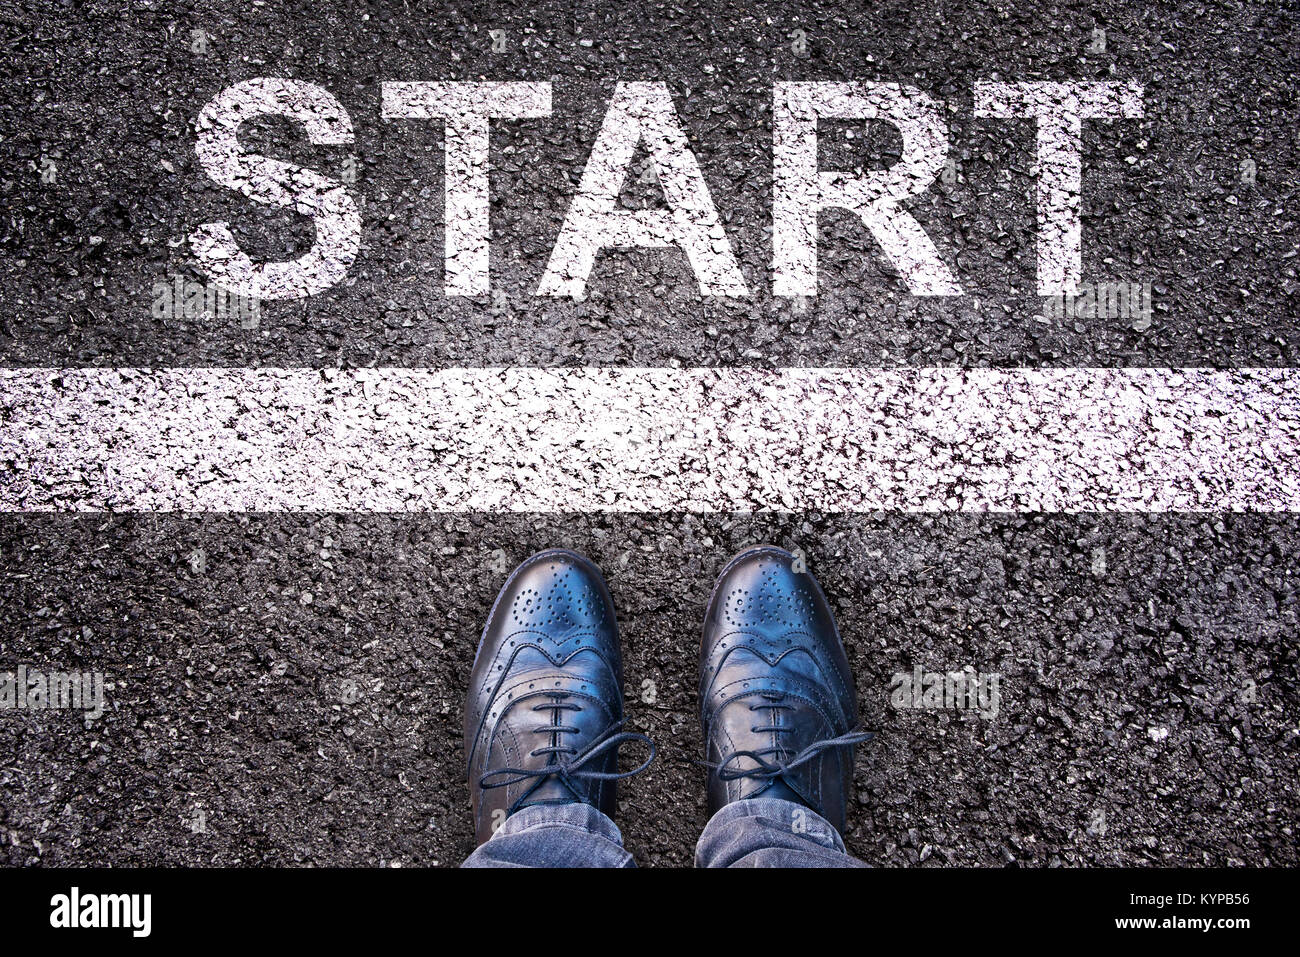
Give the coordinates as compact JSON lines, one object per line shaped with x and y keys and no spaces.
{"x":544,"y":721}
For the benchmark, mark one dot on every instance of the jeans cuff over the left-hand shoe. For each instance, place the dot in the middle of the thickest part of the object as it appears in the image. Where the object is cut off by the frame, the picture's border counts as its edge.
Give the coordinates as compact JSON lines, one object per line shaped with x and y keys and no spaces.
{"x":557,"y":835}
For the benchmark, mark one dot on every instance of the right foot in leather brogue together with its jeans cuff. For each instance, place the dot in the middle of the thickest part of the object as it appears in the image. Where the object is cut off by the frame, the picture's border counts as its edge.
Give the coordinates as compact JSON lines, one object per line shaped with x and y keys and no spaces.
{"x":779,"y":716}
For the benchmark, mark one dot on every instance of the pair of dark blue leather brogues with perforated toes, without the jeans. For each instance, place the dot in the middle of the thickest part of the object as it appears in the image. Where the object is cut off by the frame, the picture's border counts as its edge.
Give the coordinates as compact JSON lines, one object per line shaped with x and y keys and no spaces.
{"x":544,"y":717}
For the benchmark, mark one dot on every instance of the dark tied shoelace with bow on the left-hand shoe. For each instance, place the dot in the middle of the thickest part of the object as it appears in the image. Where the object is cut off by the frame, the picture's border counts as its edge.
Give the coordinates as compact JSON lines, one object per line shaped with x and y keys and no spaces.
{"x":566,"y":763}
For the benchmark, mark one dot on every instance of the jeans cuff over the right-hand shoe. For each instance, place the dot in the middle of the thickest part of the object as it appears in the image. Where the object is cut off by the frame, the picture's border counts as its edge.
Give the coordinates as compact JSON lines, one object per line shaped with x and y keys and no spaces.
{"x":772,"y":833}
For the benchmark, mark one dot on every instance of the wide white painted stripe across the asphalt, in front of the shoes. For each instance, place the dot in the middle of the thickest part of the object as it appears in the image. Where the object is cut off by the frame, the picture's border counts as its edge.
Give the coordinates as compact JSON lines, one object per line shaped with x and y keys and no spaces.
{"x":649,"y":440}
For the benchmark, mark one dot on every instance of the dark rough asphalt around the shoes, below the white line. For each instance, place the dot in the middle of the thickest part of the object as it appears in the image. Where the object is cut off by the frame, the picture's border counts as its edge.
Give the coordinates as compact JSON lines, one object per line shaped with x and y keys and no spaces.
{"x":1149,"y":704}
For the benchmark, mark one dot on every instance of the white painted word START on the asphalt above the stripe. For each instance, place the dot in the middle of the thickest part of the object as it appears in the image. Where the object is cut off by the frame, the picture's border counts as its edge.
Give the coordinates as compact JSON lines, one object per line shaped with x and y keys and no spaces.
{"x":642,"y":115}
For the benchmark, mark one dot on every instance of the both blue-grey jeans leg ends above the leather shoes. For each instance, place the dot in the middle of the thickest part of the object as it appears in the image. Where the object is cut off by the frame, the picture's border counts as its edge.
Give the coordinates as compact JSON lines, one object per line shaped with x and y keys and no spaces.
{"x":761,"y":833}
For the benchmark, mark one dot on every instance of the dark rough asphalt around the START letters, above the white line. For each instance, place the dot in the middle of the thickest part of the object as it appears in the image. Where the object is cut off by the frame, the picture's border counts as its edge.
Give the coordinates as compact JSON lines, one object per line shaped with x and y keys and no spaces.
{"x":111,"y":94}
